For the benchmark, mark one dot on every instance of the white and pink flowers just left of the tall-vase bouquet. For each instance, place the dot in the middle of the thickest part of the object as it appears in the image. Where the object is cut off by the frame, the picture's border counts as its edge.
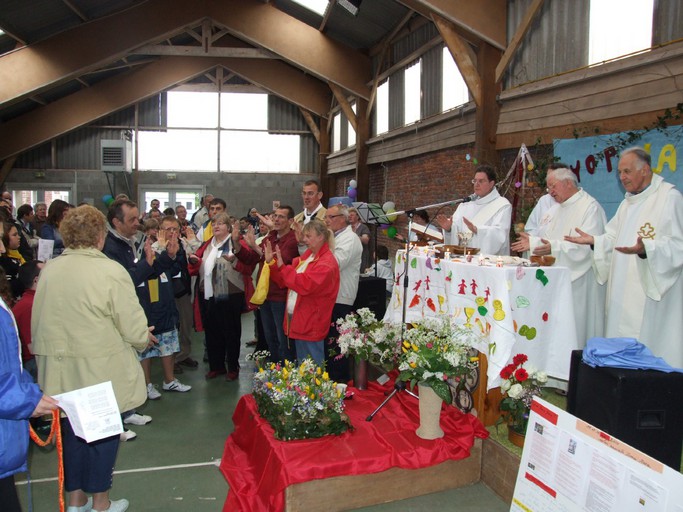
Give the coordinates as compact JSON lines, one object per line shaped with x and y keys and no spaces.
{"x":363,"y":336}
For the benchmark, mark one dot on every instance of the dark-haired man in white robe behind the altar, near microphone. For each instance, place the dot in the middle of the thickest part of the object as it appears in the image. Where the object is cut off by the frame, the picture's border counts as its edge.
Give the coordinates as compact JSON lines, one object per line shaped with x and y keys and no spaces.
{"x":487,"y":217}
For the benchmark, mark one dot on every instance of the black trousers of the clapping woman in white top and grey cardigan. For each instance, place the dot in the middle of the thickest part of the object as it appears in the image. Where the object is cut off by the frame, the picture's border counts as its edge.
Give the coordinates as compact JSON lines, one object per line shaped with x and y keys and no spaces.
{"x":223,"y":331}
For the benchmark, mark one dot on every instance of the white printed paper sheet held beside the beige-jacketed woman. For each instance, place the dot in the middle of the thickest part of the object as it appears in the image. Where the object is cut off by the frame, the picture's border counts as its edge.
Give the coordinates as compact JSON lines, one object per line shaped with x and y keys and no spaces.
{"x":92,"y":411}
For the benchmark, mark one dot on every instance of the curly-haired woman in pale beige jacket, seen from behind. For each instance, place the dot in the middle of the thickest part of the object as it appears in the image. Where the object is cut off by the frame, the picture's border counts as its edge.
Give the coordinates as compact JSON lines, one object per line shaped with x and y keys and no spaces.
{"x":87,"y":325}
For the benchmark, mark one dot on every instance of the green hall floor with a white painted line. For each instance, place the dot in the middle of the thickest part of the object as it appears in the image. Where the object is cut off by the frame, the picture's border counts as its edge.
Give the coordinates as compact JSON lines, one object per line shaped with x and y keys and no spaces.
{"x":173,"y":463}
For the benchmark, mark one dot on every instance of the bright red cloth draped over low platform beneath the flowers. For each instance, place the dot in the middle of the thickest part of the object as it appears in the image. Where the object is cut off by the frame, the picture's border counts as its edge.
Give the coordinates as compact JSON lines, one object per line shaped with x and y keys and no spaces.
{"x":259,"y":468}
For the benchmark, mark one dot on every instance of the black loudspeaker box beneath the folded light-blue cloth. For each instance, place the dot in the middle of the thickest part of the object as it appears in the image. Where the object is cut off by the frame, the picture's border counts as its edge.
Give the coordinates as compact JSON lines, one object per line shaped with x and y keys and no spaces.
{"x":643,"y":408}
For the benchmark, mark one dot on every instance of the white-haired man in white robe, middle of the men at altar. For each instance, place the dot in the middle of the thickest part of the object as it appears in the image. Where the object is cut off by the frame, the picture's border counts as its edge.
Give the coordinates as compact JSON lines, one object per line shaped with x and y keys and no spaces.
{"x":573,"y":207}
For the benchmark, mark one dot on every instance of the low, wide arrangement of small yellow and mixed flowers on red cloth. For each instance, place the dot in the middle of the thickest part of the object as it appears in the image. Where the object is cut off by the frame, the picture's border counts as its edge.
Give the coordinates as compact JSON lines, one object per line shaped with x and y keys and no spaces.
{"x":299,"y":402}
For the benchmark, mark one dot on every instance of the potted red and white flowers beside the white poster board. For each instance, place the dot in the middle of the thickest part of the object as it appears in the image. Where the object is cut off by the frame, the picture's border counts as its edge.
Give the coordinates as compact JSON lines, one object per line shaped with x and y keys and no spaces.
{"x":521,"y":385}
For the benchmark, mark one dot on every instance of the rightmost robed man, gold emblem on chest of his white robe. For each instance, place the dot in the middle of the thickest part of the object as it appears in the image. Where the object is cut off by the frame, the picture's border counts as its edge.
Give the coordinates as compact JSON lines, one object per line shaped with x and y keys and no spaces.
{"x":640,"y":257}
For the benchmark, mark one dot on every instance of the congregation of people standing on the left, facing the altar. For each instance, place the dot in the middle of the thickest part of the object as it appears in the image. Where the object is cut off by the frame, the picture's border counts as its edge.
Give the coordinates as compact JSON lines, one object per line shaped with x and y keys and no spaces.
{"x":122,"y":290}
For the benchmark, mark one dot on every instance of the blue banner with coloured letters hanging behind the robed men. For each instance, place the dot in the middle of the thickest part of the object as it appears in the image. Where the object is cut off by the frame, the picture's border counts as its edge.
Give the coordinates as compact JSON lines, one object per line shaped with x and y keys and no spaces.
{"x":594,"y":160}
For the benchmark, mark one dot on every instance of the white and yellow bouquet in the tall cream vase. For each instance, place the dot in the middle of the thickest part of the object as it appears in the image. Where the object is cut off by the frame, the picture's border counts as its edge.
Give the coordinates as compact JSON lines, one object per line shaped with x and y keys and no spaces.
{"x":435,"y":351}
